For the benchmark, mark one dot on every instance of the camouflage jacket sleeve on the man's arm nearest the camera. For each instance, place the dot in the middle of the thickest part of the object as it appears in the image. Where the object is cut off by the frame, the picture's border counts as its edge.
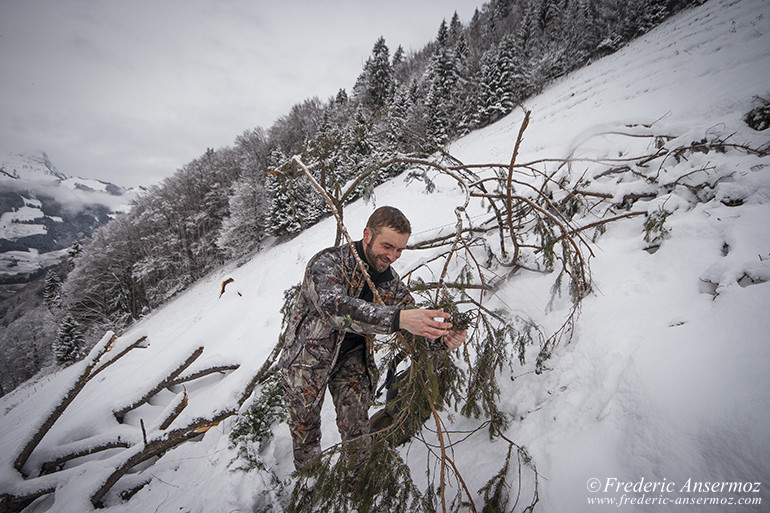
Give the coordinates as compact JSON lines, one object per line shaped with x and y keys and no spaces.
{"x":326,"y":289}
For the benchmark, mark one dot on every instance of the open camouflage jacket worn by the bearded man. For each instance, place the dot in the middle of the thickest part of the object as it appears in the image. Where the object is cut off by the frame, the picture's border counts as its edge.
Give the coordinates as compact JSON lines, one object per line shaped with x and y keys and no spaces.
{"x":328,"y":305}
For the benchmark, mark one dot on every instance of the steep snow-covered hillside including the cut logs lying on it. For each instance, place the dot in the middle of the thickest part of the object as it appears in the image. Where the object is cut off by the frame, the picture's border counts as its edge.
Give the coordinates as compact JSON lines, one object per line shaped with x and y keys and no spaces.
{"x":660,"y":400}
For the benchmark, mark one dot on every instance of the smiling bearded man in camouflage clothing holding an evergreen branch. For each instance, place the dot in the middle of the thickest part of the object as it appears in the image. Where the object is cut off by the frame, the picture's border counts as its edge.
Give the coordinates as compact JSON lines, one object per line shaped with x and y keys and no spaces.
{"x":326,"y":344}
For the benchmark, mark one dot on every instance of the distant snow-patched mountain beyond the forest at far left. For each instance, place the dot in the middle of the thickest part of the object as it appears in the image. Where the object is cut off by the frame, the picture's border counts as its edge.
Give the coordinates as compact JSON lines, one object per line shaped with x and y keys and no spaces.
{"x":43,"y":212}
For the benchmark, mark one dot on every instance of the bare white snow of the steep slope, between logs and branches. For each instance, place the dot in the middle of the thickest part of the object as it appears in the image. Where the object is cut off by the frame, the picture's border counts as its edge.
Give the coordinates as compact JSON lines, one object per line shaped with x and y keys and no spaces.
{"x":664,"y":386}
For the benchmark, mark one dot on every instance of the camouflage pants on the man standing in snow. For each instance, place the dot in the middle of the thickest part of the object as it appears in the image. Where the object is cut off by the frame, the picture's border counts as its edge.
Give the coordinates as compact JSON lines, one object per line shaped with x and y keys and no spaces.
{"x":304,"y":389}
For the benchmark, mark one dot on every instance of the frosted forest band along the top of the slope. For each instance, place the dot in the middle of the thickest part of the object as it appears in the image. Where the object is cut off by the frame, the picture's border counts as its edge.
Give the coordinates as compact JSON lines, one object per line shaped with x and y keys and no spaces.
{"x":229,"y":201}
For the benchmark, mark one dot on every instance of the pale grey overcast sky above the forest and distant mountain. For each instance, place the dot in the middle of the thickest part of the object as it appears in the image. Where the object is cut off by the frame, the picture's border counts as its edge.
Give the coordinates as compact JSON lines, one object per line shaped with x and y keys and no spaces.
{"x":128,"y":91}
